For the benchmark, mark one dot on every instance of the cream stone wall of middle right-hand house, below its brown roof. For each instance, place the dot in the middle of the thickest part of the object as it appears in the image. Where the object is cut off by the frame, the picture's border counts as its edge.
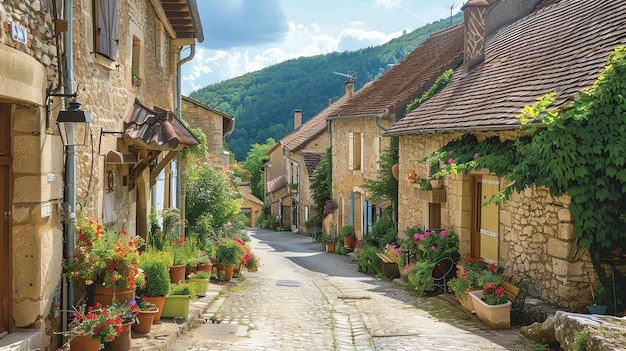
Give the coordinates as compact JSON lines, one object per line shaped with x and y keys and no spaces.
{"x":347,"y":179}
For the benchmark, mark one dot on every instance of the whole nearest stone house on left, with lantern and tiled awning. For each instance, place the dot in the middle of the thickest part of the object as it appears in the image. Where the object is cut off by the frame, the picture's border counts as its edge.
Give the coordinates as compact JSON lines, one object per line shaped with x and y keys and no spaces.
{"x":116,"y":58}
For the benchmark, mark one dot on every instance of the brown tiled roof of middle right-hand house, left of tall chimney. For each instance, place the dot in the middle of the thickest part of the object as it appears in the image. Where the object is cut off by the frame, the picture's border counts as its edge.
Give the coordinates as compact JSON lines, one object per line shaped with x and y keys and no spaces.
{"x":402,"y":82}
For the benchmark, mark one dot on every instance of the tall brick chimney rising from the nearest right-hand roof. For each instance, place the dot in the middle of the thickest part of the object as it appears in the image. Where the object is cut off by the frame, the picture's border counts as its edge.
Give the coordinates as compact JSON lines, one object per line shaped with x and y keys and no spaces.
{"x":475,"y":15}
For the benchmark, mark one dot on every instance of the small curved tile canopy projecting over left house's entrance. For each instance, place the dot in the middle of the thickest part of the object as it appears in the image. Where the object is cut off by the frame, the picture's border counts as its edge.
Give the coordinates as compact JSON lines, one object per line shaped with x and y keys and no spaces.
{"x":156,"y":129}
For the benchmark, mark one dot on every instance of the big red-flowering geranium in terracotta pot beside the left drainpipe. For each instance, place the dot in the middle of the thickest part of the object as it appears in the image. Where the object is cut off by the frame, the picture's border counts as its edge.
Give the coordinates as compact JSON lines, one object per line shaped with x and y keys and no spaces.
{"x":105,"y":261}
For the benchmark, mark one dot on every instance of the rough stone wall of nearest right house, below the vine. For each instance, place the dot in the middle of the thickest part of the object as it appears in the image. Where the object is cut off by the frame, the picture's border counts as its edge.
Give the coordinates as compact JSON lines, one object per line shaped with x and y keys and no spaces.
{"x":535,"y":229}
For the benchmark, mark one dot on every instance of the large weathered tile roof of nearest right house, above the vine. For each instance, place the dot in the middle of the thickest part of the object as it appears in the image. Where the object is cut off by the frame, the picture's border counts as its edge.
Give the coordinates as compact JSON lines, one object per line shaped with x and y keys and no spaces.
{"x":560,"y":47}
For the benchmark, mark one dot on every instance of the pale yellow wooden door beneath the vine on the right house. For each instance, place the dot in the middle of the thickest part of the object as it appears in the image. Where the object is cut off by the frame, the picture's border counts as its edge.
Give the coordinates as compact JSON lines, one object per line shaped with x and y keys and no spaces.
{"x":485,"y":233}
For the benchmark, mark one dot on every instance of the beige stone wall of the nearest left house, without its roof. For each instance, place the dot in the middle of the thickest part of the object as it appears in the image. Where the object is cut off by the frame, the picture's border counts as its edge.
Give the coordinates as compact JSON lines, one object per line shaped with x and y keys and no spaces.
{"x":36,"y":160}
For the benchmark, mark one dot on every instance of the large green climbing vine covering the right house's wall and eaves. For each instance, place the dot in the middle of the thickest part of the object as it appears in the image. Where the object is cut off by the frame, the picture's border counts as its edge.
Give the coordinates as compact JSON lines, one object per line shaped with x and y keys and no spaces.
{"x":578,"y":150}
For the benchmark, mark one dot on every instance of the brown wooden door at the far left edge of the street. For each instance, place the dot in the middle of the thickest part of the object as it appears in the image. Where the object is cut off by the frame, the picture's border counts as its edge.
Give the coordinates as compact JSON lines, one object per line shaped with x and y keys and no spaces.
{"x":5,"y":216}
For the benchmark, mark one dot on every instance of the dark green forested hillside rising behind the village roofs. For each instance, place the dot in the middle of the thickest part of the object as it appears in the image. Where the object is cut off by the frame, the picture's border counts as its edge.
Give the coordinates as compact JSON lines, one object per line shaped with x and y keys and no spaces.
{"x":262,"y":102}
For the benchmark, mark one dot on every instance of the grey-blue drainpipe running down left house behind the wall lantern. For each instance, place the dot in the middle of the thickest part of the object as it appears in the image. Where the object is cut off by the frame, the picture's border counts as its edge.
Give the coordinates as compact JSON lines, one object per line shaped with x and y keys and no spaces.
{"x":70,"y":166}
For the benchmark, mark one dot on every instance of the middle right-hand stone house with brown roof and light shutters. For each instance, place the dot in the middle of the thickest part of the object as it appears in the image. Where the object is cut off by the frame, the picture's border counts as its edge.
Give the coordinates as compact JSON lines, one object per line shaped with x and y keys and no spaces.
{"x":358,"y":126}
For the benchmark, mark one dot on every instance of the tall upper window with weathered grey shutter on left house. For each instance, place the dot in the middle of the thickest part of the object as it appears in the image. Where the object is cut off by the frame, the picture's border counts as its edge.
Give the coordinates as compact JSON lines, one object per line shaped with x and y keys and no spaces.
{"x":106,"y":28}
